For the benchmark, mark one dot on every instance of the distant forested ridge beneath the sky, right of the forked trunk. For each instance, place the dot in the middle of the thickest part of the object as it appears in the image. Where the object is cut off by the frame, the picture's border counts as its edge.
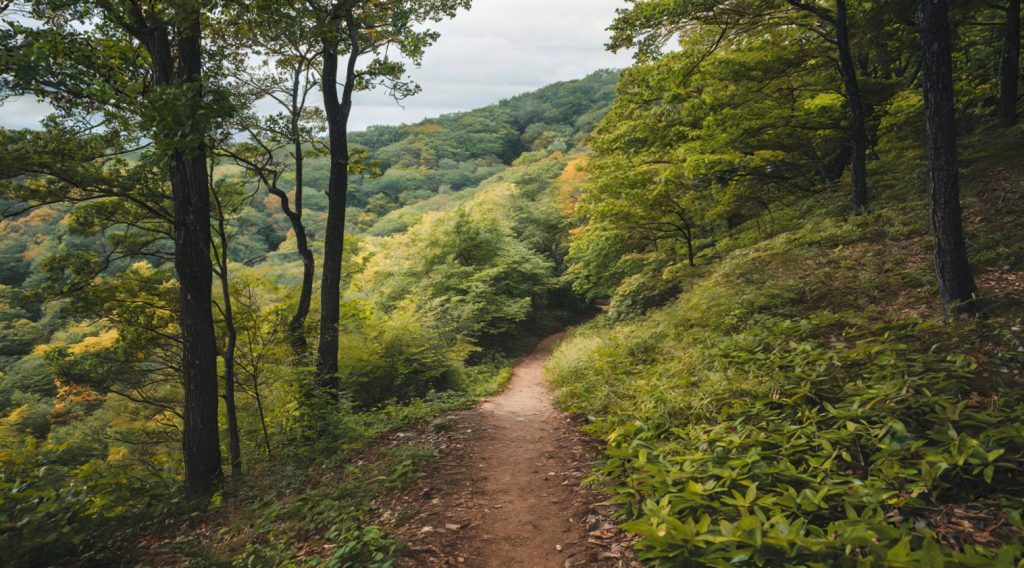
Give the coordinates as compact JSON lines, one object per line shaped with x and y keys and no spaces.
{"x":456,"y":153}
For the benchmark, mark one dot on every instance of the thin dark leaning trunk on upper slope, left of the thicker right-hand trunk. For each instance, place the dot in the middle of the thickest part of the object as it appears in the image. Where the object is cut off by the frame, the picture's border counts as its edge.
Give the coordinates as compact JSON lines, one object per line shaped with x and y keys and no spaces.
{"x":859,"y":130}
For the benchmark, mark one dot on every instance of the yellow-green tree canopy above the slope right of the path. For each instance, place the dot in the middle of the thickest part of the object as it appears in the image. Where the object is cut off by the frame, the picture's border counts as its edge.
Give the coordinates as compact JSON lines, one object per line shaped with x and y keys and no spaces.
{"x":745,"y":114}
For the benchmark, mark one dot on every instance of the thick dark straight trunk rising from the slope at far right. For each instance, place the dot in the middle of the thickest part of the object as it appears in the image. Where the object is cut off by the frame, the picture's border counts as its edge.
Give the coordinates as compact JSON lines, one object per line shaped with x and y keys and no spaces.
{"x":956,"y":281}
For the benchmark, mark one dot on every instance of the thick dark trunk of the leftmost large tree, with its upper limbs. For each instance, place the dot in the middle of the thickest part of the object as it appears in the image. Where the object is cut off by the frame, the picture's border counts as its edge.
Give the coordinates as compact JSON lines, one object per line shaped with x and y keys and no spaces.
{"x":175,"y":45}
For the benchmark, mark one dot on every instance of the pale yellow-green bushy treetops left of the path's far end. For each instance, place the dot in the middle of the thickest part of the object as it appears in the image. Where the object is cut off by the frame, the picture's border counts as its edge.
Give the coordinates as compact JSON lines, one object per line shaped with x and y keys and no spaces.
{"x":464,"y":276}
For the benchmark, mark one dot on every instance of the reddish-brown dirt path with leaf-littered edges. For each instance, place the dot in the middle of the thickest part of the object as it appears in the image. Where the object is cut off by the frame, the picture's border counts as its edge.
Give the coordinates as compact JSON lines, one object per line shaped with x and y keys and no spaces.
{"x":506,"y":491}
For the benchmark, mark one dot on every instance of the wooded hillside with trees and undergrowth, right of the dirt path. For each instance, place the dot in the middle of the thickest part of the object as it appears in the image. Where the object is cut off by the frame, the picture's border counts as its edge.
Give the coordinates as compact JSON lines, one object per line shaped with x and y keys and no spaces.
{"x":793,"y":370}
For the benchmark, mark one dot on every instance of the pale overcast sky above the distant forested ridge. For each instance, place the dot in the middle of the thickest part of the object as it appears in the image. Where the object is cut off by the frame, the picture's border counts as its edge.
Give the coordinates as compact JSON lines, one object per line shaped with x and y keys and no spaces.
{"x":498,"y":50}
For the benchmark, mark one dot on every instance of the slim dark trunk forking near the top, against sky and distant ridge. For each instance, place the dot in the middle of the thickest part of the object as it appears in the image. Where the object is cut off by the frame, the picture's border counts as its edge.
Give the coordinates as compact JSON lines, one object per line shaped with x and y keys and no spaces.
{"x":334,"y":237}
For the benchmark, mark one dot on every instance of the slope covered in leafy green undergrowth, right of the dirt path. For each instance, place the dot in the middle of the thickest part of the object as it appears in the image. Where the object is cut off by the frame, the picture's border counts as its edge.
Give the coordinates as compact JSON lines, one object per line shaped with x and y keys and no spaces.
{"x":806,"y":401}
